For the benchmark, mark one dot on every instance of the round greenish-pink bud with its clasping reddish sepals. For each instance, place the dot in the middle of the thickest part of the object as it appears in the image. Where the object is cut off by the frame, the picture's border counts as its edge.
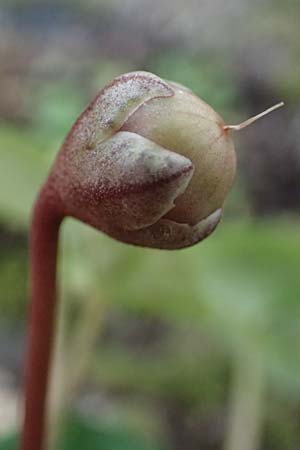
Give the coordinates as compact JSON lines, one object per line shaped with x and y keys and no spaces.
{"x":147,"y":162}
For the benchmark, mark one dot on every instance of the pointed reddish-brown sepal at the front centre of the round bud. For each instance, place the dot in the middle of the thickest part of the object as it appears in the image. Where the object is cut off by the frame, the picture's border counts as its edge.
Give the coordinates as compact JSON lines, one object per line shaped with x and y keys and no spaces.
{"x":127,"y":182}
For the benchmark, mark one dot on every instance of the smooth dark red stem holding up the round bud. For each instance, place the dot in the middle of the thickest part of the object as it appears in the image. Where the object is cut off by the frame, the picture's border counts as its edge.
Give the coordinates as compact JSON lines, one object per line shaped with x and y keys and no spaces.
{"x":43,"y":259}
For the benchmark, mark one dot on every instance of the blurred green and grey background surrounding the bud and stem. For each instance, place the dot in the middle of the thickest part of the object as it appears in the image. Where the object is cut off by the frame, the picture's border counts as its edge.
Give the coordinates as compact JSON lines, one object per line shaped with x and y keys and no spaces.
{"x":195,"y":349}
